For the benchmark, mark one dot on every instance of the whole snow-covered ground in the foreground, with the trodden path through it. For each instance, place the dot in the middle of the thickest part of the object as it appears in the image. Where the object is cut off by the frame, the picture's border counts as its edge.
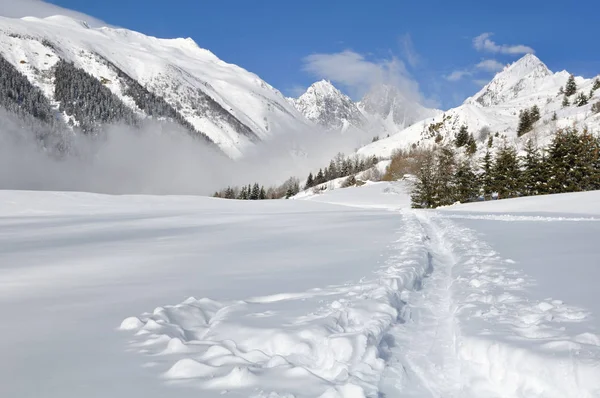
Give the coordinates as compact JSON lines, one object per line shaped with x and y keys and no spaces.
{"x":344,"y":294}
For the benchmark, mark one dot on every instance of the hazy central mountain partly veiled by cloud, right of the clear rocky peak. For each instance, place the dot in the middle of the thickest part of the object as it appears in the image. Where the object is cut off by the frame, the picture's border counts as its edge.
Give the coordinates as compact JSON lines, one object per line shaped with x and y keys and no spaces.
{"x":388,"y":106}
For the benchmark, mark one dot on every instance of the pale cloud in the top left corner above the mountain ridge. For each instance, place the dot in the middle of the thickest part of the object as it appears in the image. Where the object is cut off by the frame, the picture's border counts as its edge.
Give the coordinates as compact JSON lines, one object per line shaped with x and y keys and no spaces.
{"x":41,"y":9}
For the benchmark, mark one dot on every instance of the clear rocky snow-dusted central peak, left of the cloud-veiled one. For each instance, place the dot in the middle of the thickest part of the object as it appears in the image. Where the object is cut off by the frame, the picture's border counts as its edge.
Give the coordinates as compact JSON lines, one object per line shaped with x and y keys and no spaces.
{"x":328,"y":107}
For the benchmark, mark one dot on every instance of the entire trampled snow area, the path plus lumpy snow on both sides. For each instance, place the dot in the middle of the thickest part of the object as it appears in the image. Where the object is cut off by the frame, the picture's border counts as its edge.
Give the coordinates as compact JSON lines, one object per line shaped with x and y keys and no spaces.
{"x":446,"y":316}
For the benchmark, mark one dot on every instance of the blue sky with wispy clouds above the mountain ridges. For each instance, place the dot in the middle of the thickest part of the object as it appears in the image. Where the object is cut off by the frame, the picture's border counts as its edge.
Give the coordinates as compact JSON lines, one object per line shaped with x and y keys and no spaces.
{"x":426,"y":47}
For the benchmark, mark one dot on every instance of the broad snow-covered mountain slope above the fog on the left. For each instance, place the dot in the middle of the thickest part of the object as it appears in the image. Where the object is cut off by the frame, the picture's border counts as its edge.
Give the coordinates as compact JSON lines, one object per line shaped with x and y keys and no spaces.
{"x":231,"y":106}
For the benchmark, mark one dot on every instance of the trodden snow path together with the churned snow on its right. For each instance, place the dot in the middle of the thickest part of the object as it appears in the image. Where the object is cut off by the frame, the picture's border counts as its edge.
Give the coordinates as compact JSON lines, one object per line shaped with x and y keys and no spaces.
{"x":473,"y":330}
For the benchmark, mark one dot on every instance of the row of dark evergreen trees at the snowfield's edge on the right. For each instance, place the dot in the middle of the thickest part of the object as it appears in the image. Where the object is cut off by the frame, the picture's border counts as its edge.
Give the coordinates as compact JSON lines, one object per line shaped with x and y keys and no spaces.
{"x":571,"y":163}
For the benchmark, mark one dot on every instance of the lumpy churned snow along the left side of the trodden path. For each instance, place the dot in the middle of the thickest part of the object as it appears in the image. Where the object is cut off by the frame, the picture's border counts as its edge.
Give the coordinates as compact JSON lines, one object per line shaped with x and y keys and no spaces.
{"x":338,"y":350}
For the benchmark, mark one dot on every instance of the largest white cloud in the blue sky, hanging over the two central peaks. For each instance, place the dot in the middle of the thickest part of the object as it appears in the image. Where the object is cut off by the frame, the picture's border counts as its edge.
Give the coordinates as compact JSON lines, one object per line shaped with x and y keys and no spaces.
{"x":358,"y":74}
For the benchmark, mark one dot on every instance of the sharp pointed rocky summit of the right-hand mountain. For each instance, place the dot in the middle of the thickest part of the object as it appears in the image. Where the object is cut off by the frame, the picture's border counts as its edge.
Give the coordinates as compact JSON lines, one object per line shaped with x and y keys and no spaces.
{"x":515,"y":80}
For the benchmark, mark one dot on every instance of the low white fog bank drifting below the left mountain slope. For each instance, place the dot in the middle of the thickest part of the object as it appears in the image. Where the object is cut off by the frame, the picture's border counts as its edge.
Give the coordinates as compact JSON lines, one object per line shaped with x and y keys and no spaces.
{"x":158,"y":158}
